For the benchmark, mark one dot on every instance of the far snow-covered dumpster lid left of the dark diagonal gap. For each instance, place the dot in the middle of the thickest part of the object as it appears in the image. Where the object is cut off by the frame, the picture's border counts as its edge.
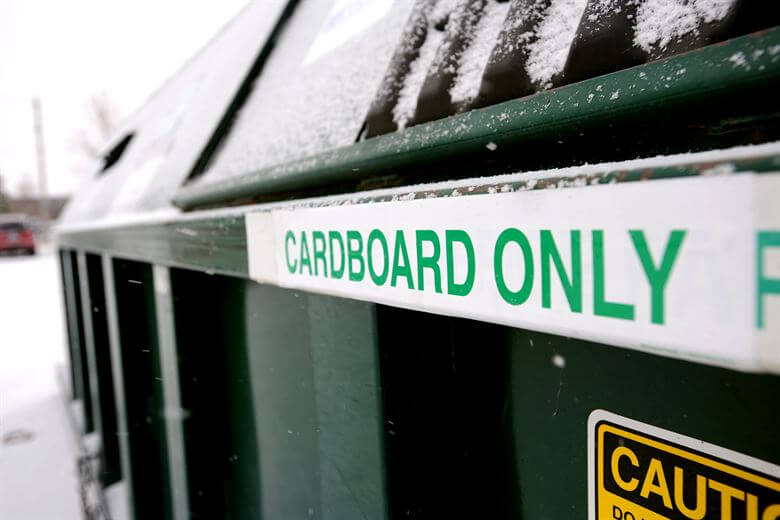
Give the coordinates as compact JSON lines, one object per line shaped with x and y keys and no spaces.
{"x":156,"y":147}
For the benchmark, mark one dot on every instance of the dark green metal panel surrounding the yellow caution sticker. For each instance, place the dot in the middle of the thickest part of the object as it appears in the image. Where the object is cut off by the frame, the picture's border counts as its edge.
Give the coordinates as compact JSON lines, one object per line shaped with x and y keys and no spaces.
{"x":549,"y":407}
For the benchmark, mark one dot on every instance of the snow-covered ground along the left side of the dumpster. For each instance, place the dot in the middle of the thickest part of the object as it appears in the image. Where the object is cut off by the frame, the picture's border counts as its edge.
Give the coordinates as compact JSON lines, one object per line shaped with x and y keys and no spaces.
{"x":38,"y":447}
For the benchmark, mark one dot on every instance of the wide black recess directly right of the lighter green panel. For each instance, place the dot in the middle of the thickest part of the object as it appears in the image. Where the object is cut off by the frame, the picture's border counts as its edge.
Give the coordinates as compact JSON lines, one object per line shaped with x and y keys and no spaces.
{"x":446,"y":393}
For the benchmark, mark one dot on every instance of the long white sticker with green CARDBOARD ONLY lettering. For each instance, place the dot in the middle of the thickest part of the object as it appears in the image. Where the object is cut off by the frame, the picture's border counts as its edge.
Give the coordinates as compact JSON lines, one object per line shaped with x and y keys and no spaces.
{"x":668,"y":266}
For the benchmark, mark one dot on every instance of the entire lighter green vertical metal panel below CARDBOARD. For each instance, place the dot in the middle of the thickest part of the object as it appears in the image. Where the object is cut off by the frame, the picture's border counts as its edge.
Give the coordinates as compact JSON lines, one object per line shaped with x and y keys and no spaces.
{"x":315,"y":390}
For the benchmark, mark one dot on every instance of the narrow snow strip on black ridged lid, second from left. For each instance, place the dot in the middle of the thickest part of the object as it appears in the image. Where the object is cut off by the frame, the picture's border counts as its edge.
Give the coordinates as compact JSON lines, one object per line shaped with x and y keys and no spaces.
{"x":476,"y":56}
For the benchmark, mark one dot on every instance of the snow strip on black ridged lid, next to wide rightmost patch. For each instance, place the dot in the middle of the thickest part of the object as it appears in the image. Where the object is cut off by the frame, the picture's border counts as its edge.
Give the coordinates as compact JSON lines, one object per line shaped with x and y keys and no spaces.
{"x":555,"y":34}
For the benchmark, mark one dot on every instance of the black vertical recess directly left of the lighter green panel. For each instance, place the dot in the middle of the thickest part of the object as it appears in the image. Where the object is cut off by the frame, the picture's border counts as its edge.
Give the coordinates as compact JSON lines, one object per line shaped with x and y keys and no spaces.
{"x":217,"y":412}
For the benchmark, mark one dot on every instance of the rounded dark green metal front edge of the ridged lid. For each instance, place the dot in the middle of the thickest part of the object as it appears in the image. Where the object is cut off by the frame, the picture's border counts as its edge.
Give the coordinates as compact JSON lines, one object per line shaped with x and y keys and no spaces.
{"x":549,"y":124}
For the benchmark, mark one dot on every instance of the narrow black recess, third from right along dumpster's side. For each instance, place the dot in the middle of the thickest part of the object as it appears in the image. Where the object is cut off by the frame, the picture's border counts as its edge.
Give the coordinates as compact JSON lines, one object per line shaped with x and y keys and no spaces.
{"x":143,"y":392}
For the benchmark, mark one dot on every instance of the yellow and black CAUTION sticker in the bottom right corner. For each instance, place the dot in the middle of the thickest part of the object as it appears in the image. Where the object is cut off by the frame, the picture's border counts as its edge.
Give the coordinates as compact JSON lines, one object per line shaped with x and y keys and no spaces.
{"x":640,"y":472}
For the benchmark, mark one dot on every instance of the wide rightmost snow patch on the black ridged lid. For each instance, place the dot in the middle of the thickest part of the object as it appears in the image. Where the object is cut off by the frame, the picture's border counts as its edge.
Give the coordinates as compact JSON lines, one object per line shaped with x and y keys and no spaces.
{"x":660,"y":22}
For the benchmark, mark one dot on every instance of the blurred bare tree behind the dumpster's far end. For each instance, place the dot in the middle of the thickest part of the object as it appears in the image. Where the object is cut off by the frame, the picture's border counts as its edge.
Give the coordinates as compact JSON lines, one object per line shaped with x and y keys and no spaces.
{"x":102,"y":118}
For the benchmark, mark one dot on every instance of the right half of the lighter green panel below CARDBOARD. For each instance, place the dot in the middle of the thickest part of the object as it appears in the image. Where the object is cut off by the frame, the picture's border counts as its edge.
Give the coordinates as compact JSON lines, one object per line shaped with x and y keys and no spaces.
{"x":349,"y":421}
